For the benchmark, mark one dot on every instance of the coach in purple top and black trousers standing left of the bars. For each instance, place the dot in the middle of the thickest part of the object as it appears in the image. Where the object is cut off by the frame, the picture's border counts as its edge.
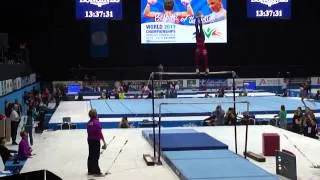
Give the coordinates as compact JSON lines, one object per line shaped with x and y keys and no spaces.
{"x":94,"y":137}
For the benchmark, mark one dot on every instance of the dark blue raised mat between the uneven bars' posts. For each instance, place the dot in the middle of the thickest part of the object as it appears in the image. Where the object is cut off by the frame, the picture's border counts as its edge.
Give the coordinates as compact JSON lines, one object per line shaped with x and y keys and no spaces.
{"x":188,"y":141}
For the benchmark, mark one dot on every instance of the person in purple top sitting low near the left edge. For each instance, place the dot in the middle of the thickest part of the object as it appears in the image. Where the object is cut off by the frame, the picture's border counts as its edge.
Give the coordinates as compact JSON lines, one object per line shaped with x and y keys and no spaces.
{"x":24,"y":151}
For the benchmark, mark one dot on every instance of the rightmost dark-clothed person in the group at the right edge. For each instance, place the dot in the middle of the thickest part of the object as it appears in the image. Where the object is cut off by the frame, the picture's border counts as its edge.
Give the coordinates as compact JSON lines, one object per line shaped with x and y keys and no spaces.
{"x":309,"y":124}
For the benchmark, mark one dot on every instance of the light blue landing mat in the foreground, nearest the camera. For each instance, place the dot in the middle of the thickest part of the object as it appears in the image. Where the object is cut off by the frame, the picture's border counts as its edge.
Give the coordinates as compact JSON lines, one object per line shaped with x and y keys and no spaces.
{"x":214,"y":164}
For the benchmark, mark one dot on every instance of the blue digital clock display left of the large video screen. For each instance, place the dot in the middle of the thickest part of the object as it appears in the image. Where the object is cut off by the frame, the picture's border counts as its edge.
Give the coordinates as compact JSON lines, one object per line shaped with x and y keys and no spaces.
{"x":99,"y":9}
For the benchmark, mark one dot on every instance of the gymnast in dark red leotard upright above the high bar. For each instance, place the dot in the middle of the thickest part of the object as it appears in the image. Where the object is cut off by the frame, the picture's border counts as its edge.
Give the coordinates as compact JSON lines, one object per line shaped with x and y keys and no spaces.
{"x":201,"y":50}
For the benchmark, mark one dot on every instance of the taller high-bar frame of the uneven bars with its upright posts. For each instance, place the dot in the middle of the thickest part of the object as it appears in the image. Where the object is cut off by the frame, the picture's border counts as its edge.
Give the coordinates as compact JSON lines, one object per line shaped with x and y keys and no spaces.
{"x":233,"y":73}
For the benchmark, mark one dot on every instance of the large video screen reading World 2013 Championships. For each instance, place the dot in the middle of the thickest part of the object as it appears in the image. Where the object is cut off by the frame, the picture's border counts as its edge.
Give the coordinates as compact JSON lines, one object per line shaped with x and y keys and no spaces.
{"x":173,"y":21}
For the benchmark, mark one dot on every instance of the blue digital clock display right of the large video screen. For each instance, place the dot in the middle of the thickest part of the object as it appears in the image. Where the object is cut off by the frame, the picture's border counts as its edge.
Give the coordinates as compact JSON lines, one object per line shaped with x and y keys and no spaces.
{"x":277,"y":9}
